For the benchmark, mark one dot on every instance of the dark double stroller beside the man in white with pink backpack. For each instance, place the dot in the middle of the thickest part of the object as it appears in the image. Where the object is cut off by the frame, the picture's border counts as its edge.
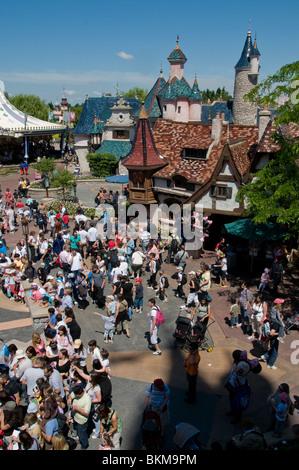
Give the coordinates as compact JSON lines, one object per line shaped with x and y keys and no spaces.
{"x":187,"y":334}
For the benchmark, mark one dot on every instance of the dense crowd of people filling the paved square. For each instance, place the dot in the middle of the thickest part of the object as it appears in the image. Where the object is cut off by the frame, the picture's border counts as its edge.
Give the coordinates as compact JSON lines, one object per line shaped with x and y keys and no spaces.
{"x":48,"y":395}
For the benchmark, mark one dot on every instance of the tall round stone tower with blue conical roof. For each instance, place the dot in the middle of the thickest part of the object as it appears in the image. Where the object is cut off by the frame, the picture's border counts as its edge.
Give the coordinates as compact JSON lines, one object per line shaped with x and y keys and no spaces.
{"x":246,"y":78}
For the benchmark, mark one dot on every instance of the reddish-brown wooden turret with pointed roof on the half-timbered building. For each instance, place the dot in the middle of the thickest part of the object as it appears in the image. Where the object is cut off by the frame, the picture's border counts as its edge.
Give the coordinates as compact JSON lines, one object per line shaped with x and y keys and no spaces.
{"x":142,"y":162}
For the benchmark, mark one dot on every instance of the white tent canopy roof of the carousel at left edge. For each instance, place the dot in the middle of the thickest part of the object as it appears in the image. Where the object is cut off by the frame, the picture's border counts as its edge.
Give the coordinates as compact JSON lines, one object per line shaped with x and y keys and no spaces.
{"x":12,"y":121}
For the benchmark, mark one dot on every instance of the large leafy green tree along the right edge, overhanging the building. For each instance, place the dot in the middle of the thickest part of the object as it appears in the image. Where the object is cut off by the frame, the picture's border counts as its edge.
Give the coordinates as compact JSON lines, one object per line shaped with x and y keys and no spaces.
{"x":272,"y":195}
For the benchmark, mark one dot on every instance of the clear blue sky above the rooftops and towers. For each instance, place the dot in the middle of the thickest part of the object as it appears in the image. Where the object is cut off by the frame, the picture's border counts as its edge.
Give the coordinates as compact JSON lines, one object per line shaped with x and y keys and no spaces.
{"x":96,"y":47}
